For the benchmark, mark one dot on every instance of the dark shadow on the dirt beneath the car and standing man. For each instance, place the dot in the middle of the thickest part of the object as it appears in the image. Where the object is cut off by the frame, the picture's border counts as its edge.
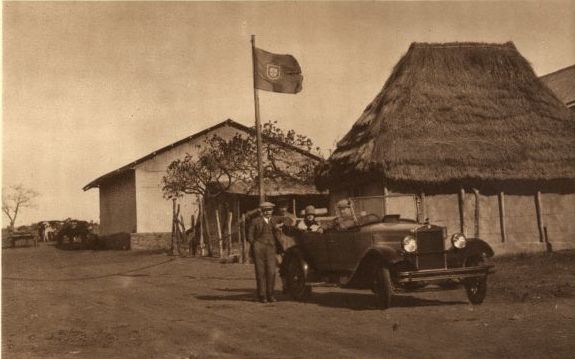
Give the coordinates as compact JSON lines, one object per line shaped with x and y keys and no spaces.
{"x":354,"y":301}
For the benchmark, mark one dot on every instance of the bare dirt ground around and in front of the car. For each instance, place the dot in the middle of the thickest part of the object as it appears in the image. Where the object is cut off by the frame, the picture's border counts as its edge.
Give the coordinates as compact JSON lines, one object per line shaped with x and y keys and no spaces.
{"x":123,"y":304}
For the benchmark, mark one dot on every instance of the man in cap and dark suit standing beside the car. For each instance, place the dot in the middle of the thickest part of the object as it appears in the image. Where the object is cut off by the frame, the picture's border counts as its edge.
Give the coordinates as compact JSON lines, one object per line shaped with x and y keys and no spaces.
{"x":264,"y":239}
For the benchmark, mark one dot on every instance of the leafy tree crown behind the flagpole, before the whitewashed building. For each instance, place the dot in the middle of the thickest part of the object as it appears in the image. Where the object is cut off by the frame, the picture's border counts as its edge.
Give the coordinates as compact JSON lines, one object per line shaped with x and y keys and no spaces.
{"x":222,"y":162}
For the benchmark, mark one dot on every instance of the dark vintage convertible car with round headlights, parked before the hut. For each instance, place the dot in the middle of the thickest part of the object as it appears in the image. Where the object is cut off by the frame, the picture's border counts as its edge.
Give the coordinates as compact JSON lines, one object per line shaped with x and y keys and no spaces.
{"x":388,"y":255}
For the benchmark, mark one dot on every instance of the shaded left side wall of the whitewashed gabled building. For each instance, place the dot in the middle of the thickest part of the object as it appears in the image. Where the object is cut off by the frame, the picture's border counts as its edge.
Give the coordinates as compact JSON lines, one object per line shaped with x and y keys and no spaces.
{"x":118,"y":205}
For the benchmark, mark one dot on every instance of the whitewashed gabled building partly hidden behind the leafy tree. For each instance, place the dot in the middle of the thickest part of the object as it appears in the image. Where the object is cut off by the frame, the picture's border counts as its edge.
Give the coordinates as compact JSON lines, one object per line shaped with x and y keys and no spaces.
{"x":131,"y":197}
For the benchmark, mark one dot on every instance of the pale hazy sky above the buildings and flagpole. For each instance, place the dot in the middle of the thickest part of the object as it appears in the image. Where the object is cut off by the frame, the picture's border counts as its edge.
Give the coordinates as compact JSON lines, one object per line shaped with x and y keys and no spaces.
{"x":88,"y":87}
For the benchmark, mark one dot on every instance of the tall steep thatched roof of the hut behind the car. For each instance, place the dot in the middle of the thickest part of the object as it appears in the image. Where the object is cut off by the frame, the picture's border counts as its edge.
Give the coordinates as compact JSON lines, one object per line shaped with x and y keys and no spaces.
{"x":458,"y":113}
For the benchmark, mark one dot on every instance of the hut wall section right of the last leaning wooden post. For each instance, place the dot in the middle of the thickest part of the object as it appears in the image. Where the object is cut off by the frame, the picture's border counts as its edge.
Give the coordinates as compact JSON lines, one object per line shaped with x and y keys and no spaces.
{"x":558,"y":215}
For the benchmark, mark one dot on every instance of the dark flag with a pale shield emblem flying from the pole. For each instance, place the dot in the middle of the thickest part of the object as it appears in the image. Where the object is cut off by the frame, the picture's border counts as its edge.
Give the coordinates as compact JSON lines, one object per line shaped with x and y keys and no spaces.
{"x":276,"y":73}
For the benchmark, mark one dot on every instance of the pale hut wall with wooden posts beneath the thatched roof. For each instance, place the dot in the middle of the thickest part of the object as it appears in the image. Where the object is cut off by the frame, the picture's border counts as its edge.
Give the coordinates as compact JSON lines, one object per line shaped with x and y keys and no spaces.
{"x":520,"y":216}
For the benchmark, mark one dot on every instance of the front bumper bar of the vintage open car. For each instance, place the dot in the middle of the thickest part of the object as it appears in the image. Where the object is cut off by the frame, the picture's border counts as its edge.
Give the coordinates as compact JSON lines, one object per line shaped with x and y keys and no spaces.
{"x":442,"y":274}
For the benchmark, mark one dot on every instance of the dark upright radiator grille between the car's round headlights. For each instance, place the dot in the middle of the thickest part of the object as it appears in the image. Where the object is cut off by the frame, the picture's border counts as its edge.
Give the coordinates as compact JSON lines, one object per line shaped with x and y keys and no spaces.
{"x":430,"y":247}
